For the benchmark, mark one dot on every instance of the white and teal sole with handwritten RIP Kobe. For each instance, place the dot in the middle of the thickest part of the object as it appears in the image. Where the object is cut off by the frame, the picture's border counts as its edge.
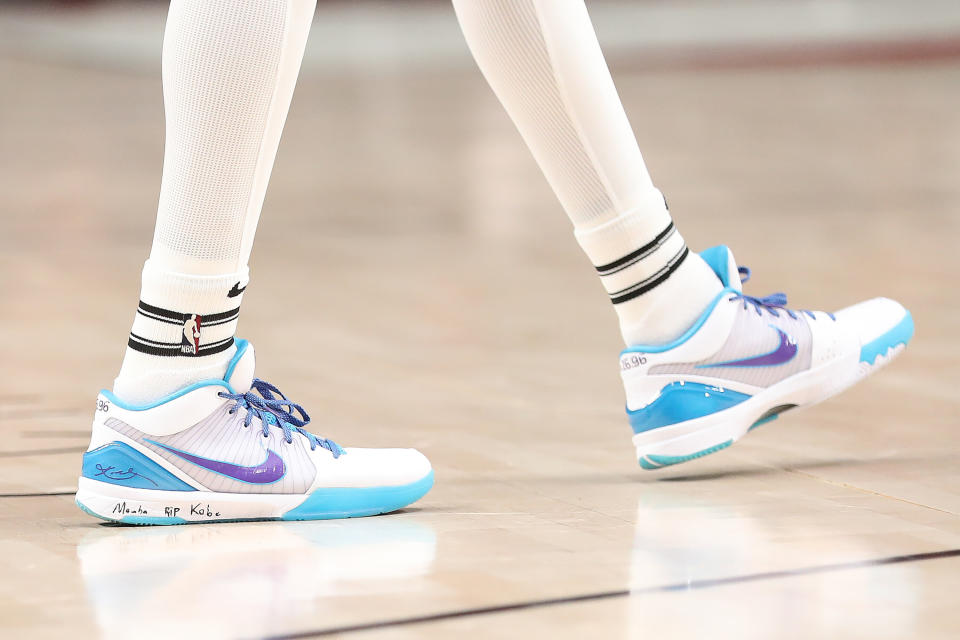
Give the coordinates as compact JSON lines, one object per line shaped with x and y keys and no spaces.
{"x":115,"y":503}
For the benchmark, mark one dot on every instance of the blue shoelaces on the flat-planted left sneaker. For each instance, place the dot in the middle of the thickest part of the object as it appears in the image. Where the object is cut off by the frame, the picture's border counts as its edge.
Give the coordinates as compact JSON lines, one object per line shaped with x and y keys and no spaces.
{"x":280,"y":412}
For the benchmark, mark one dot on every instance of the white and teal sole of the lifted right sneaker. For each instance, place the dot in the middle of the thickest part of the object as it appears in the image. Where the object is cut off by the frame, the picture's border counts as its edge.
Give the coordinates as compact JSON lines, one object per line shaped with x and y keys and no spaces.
{"x":692,"y":439}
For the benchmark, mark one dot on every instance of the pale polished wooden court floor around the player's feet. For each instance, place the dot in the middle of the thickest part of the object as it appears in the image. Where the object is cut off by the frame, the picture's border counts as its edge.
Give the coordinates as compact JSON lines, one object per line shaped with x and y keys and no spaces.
{"x":415,"y":284}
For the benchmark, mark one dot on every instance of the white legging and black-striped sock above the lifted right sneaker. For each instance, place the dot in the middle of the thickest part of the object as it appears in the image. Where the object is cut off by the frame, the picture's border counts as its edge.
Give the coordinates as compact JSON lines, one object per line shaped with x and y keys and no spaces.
{"x":542,"y":59}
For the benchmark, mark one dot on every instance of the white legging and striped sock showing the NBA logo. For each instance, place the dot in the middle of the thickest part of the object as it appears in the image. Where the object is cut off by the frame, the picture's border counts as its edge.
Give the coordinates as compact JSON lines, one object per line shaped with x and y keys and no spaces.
{"x":229,"y":69}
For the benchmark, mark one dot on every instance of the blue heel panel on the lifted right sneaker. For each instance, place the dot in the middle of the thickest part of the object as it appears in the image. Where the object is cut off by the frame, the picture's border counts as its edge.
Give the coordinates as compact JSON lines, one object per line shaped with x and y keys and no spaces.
{"x":682,"y":401}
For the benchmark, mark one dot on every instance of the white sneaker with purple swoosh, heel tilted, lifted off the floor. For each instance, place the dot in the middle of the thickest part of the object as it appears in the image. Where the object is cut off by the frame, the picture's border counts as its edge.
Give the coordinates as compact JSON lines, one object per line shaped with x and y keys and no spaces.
{"x":745,"y":361}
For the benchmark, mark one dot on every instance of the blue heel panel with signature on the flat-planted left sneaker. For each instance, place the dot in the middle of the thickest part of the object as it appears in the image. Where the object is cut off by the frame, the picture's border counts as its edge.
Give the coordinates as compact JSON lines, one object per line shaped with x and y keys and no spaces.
{"x":120,"y":464}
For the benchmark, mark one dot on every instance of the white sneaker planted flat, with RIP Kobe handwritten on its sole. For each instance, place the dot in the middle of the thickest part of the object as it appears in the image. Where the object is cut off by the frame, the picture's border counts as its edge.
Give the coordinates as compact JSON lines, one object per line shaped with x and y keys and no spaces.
{"x":234,"y":449}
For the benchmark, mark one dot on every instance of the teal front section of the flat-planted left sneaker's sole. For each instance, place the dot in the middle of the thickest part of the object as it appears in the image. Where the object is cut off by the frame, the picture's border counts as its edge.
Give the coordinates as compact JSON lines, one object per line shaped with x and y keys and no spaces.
{"x":352,"y":502}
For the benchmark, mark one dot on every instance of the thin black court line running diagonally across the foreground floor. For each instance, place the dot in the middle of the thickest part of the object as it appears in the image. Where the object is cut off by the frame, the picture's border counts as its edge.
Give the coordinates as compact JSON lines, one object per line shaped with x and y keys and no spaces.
{"x":620,"y":593}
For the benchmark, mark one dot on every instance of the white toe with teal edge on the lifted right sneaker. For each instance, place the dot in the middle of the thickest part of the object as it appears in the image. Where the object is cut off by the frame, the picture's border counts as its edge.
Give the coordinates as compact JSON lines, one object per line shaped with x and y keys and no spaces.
{"x":880,"y":324}
